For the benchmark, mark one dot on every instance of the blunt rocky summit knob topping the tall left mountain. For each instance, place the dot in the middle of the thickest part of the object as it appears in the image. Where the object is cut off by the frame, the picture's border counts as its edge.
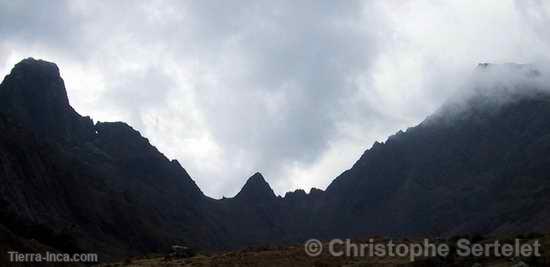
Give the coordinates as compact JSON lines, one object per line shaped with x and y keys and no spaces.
{"x":34,"y":95}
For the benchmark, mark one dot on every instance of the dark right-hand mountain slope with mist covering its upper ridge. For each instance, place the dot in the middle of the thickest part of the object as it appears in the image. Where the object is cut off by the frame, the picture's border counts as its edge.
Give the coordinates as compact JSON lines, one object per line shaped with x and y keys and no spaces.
{"x":480,"y":164}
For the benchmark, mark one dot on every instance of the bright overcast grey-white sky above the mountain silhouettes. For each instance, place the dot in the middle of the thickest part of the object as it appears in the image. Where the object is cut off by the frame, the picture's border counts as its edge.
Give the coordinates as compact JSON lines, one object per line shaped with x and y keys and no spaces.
{"x":294,"y":89}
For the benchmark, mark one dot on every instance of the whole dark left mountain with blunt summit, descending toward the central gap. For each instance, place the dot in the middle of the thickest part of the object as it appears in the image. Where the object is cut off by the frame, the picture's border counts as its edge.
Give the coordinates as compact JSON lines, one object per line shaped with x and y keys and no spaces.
{"x":73,"y":185}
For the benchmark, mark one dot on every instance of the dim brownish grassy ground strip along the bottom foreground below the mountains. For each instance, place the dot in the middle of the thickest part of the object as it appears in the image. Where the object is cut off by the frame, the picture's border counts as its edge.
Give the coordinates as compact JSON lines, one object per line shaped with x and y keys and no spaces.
{"x":296,"y":256}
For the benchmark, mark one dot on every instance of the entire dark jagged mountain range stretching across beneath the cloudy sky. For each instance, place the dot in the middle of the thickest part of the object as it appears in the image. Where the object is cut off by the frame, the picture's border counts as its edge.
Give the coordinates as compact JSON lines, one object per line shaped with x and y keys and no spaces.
{"x":75,"y":185}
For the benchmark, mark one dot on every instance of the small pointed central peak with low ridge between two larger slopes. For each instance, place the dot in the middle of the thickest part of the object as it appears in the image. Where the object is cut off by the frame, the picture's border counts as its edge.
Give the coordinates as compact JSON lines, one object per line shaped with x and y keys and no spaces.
{"x":255,"y":216}
